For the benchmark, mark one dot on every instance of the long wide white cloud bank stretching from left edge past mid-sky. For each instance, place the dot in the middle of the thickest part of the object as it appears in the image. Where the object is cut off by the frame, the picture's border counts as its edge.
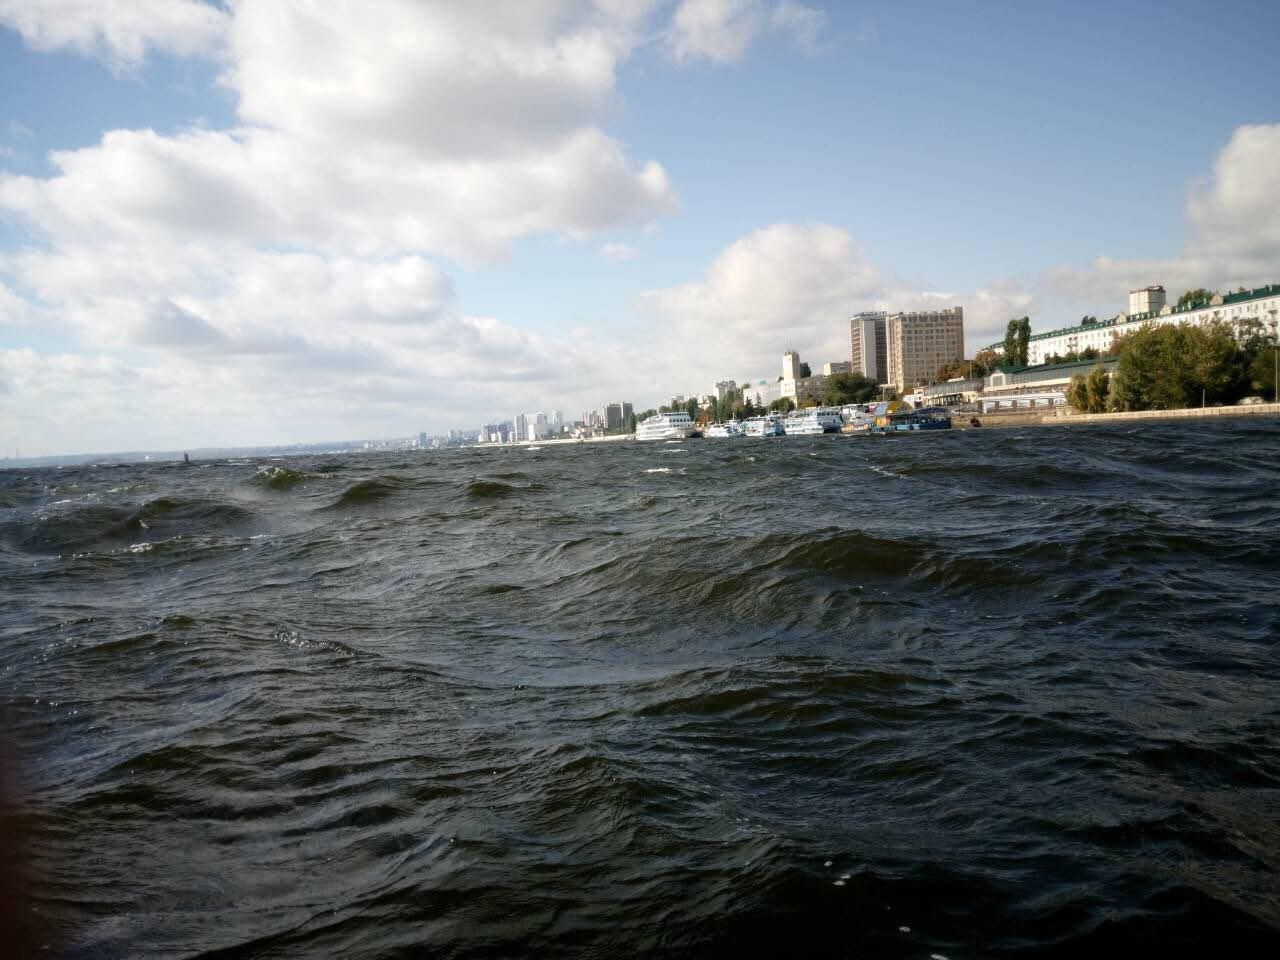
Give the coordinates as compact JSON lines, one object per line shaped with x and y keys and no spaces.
{"x":263,"y":188}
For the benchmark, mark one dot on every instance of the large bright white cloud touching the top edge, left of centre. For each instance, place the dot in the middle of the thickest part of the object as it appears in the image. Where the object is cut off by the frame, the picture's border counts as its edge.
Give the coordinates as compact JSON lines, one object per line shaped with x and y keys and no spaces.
{"x":445,"y":80}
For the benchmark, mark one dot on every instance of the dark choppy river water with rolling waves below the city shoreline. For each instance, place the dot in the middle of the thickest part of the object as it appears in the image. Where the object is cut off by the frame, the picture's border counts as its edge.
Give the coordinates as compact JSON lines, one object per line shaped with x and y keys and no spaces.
{"x":979,"y":694}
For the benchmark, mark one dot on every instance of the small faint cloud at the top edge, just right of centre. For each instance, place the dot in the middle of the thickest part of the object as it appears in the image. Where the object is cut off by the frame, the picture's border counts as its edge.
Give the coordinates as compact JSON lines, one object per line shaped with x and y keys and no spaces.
{"x":723,"y":31}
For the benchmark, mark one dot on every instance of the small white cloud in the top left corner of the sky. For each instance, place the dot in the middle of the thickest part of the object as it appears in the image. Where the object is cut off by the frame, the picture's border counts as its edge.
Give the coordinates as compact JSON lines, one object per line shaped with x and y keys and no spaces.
{"x":121,"y":33}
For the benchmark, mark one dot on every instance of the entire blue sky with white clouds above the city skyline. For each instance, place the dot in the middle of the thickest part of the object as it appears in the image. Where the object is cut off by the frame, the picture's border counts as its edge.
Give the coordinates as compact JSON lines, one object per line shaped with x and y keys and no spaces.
{"x":268,"y":221}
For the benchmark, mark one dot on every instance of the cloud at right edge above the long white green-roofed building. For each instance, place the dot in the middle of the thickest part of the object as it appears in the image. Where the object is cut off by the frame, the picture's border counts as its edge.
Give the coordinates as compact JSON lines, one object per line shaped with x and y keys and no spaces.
{"x":1235,"y":231}
